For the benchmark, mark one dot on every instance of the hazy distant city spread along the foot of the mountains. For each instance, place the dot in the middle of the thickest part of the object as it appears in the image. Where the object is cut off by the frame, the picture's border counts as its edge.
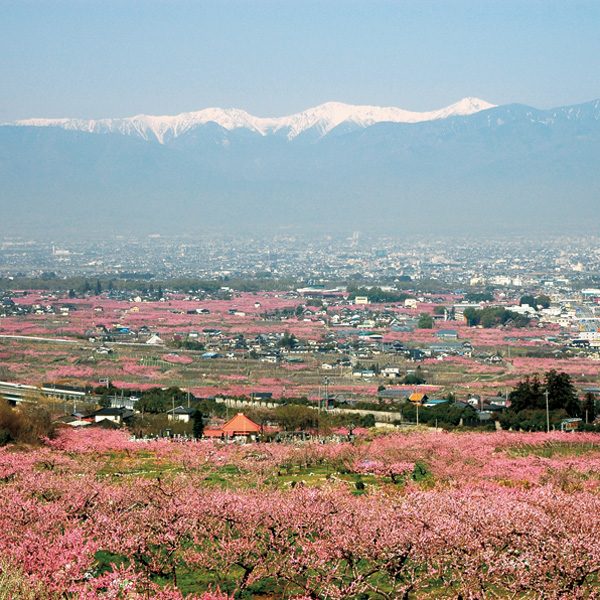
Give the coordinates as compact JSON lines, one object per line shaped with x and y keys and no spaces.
{"x":505,"y":261}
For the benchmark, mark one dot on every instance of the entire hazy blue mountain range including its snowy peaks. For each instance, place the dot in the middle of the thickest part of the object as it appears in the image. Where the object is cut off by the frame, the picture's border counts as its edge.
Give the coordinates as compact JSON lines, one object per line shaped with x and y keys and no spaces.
{"x":471,"y":168}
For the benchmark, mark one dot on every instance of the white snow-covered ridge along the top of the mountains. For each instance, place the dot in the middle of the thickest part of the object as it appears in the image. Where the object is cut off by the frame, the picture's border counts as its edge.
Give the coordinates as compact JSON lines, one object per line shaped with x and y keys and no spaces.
{"x":321,"y":120}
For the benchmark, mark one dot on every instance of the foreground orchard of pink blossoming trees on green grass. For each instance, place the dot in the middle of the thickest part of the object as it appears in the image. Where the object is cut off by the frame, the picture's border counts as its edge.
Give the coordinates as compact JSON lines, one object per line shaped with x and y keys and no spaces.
{"x":424,"y":515}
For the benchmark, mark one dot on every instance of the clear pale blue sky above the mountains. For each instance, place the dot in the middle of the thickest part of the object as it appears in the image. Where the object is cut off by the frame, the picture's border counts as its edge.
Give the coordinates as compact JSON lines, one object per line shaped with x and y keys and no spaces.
{"x":119,"y":58}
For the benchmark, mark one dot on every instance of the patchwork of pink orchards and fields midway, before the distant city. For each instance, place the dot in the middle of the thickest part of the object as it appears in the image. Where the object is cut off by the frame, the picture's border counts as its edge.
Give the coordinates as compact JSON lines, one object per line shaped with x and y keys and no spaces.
{"x":63,"y":348}
